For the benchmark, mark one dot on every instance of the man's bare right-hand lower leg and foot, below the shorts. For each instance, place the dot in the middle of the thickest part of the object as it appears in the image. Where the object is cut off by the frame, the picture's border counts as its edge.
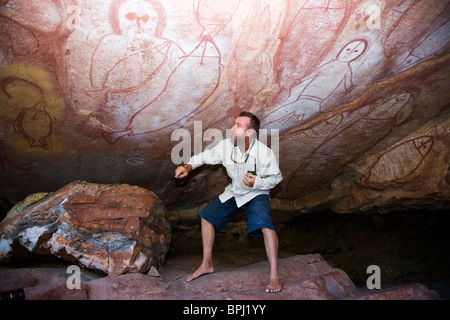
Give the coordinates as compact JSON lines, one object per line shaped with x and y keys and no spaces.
{"x":271,"y":243}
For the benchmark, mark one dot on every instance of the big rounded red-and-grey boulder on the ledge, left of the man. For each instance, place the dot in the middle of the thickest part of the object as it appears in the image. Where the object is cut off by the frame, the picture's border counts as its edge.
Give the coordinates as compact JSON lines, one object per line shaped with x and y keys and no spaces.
{"x":112,"y":228}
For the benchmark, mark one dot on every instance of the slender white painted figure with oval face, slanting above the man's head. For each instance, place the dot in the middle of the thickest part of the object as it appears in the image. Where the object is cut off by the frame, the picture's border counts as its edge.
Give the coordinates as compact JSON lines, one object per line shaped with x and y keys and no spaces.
{"x":309,"y":97}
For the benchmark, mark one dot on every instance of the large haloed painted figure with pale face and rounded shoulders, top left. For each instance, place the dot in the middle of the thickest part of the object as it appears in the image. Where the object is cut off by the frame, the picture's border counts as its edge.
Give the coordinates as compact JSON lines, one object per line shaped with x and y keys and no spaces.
{"x":138,"y":62}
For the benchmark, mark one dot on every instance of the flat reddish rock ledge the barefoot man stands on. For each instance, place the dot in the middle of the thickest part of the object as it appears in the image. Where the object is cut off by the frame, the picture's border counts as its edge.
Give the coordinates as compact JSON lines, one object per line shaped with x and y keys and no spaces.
{"x":304,"y":277}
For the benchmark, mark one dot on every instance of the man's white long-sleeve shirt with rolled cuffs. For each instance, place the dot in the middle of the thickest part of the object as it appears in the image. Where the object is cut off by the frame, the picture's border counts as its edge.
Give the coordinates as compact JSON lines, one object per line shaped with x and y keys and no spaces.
{"x":267,"y":170}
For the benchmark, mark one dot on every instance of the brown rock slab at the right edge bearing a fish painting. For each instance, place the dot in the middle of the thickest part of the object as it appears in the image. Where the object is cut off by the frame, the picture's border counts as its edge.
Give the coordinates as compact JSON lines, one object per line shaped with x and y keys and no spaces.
{"x":411,"y":174}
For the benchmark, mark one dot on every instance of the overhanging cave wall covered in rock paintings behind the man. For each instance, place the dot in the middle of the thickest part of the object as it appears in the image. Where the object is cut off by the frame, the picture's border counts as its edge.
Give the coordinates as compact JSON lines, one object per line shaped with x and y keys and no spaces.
{"x":357,"y":93}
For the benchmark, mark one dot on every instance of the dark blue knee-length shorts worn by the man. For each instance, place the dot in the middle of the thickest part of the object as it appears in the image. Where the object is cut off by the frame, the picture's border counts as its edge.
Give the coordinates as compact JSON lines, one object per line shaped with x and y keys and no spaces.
{"x":257,"y":210}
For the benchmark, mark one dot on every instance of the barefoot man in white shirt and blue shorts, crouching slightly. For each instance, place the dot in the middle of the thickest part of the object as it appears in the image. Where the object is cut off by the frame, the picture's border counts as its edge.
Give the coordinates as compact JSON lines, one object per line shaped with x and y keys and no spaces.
{"x":240,"y":154}
